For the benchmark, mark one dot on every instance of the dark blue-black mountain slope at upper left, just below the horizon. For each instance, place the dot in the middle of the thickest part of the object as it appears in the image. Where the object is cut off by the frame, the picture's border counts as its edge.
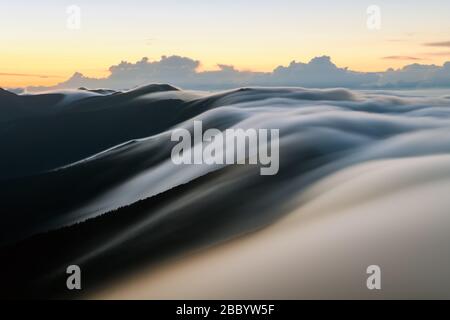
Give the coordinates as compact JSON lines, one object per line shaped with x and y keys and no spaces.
{"x":38,"y":136}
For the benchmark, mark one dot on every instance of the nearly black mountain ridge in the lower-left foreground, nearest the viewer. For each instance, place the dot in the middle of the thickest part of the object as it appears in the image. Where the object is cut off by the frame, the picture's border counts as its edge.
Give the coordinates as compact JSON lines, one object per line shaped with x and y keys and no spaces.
{"x":36,"y":266}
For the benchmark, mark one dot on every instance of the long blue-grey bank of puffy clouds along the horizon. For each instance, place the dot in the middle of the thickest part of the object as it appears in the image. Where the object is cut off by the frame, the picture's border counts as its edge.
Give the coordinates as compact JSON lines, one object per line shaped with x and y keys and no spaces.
{"x":320,"y":72}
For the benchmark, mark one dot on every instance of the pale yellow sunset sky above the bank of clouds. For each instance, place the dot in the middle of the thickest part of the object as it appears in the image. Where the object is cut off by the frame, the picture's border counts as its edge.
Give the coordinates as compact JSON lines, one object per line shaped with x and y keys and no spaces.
{"x":37,"y":47}
